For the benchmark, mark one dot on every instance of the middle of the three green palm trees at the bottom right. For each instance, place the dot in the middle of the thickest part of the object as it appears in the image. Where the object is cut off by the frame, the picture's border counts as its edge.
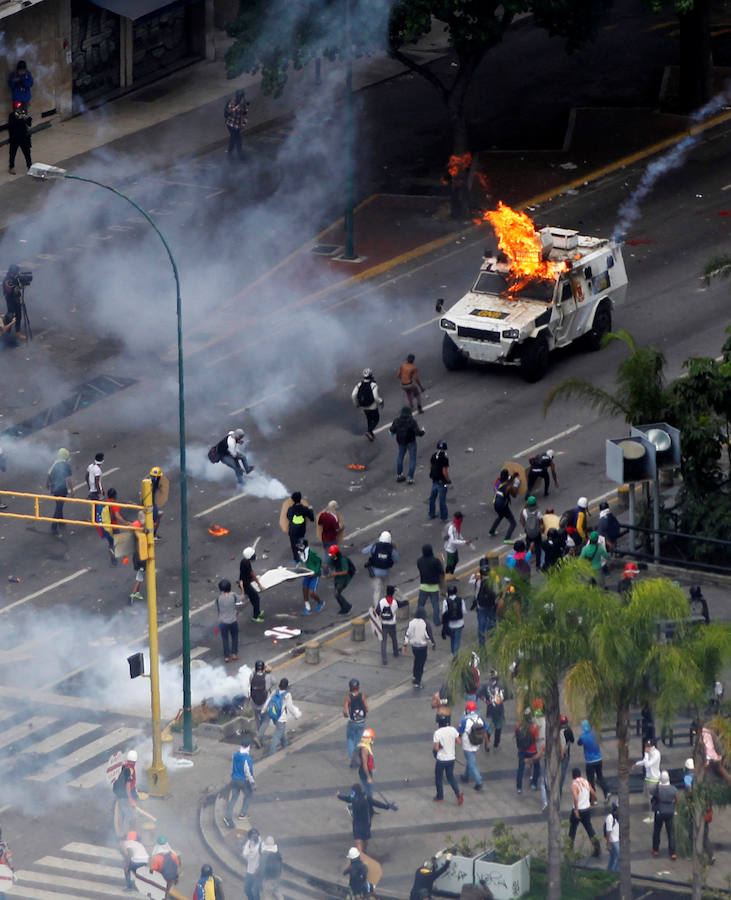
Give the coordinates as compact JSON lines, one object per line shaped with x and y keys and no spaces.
{"x":625,"y":665}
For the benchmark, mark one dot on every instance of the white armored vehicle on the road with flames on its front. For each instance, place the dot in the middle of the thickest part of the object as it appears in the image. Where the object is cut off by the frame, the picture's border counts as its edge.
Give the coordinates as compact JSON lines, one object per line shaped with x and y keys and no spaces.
{"x":543,"y":289}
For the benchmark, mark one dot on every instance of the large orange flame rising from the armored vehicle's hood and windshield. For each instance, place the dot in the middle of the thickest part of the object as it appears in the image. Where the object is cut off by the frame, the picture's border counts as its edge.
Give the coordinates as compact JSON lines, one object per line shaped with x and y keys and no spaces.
{"x":518,"y":239}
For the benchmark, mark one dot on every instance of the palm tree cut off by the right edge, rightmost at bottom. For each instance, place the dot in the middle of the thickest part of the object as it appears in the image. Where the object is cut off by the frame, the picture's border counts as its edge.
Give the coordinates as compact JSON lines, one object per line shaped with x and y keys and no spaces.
{"x":688,"y":671}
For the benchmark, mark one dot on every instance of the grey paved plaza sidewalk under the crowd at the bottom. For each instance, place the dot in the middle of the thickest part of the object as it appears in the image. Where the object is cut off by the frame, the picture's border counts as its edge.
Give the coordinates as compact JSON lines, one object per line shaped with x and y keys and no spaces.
{"x":294,"y":799}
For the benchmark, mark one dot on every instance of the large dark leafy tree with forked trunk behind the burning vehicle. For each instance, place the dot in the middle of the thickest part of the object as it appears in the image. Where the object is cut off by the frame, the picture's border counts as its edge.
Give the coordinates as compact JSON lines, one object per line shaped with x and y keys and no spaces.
{"x":272,"y":34}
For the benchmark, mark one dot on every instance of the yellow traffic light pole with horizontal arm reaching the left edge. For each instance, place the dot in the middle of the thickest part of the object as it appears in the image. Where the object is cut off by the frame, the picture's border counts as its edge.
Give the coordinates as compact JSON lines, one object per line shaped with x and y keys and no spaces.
{"x":157,"y":772}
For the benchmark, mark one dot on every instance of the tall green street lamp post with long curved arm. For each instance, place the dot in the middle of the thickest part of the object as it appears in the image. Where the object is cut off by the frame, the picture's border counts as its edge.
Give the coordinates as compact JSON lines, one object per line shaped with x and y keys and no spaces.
{"x":45,"y":172}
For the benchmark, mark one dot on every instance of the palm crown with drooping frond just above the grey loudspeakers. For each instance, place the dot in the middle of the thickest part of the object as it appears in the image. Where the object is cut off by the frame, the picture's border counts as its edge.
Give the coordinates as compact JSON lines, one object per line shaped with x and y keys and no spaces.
{"x":640,"y":394}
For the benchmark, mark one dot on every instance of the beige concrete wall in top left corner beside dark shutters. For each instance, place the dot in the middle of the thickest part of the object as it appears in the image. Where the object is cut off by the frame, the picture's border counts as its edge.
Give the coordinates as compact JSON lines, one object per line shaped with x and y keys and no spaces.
{"x":37,"y":35}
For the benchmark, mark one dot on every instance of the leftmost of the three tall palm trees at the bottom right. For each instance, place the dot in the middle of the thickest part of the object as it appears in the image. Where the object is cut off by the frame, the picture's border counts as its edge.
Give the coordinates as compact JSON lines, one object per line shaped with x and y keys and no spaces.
{"x":546,"y":630}
